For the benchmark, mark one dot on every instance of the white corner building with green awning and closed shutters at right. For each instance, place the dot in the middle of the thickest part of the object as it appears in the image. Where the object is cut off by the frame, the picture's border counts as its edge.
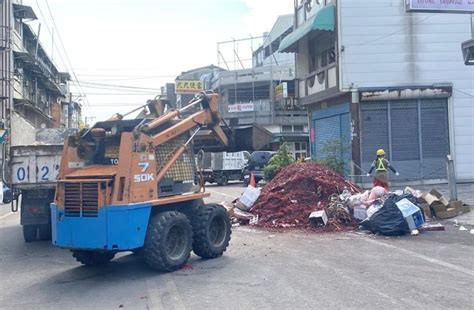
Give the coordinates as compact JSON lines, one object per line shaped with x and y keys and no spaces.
{"x":374,"y":75}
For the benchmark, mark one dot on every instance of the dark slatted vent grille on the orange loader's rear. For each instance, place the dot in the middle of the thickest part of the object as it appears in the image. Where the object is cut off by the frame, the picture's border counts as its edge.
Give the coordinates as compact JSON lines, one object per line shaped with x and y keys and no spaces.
{"x":81,"y":199}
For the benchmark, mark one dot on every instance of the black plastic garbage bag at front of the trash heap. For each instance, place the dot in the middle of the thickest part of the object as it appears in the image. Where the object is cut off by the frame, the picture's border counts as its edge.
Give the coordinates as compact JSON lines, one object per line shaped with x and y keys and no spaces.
{"x":389,"y":220}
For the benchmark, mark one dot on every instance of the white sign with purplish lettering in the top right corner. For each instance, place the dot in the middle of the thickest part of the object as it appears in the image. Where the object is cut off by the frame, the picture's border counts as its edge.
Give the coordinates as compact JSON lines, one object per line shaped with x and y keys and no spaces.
{"x":441,"y":6}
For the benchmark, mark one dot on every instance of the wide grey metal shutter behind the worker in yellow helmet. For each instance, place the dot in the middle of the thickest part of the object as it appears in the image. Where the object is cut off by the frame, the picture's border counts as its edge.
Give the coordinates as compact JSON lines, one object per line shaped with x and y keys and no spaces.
{"x":414,"y":133}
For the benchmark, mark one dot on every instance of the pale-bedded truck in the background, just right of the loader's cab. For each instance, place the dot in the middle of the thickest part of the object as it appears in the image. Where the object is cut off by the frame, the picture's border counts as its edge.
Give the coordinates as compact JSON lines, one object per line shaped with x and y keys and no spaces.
{"x":222,"y":167}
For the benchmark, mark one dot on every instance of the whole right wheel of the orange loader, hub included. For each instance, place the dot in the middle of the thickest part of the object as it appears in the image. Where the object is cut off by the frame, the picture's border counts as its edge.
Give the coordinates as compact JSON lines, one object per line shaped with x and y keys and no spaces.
{"x":212,"y":230}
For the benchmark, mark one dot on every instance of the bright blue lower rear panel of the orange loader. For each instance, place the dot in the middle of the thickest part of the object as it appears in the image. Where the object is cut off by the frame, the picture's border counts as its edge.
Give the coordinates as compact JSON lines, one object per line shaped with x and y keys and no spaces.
{"x":116,"y":228}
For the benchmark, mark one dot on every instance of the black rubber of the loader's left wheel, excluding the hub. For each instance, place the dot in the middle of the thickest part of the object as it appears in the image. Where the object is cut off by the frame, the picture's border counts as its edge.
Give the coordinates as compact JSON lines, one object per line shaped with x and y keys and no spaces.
{"x":155,"y":241}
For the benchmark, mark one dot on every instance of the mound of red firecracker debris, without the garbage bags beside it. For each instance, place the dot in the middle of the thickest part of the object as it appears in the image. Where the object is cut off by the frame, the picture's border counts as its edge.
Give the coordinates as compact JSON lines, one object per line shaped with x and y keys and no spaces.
{"x":297,"y":191}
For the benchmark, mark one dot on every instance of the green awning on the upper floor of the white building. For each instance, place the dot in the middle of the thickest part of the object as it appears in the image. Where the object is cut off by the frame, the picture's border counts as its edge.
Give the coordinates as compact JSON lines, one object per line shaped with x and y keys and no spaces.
{"x":323,"y":20}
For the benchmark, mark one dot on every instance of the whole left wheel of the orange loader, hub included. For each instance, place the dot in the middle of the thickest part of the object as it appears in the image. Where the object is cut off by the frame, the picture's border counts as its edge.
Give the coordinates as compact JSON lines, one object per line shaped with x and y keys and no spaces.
{"x":168,"y":241}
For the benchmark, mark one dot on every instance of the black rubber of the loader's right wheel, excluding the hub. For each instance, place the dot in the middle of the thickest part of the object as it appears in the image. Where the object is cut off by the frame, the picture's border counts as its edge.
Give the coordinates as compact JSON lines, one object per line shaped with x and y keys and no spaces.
{"x":202,"y":246}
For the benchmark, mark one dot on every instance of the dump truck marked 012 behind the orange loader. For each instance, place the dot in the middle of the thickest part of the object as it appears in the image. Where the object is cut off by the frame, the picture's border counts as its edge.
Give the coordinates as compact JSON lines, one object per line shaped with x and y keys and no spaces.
{"x":34,"y":170}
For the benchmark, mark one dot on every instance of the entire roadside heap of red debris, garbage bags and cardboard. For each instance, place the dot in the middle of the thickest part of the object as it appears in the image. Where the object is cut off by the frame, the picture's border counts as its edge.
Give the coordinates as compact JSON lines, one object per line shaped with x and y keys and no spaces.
{"x":311,"y":196}
